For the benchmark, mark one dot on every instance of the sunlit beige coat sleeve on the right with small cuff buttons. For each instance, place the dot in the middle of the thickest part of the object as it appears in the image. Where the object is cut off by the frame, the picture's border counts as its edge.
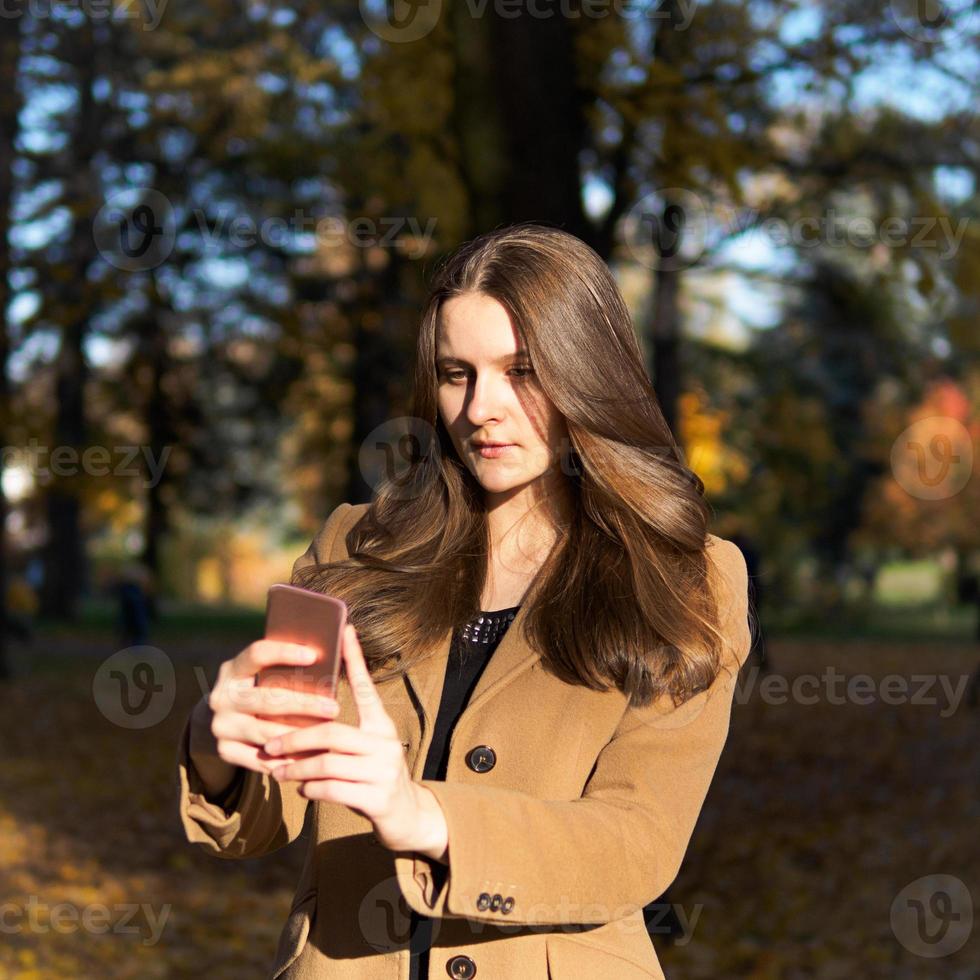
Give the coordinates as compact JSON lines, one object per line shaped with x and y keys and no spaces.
{"x":615,"y":849}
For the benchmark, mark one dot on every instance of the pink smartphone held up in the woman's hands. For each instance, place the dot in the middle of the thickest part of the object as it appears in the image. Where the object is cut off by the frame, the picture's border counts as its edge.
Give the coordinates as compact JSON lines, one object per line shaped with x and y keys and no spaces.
{"x":294,"y":615}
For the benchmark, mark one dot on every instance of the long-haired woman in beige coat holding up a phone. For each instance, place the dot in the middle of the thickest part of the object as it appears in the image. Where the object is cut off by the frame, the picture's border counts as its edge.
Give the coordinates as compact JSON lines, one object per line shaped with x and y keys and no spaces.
{"x":539,"y":669}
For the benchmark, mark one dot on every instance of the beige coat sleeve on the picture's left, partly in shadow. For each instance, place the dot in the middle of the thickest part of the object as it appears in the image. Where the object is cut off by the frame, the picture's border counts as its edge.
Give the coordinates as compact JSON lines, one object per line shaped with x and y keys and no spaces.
{"x":257,"y":814}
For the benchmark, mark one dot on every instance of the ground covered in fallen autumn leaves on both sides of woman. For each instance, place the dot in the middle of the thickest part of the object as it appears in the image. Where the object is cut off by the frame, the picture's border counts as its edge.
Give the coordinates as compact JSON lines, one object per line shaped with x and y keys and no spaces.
{"x":818,"y":816}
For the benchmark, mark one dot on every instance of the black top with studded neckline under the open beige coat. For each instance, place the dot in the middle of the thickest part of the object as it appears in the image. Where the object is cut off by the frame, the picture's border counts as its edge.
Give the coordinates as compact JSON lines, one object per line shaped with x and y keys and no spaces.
{"x":471,"y":649}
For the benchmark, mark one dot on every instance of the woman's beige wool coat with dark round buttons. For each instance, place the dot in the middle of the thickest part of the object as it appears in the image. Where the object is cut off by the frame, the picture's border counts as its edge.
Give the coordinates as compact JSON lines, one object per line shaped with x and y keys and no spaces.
{"x":583,"y":819}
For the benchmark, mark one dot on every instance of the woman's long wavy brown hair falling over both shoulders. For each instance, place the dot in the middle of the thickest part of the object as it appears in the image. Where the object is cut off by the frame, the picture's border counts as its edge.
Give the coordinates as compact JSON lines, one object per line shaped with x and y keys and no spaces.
{"x":623,"y":597}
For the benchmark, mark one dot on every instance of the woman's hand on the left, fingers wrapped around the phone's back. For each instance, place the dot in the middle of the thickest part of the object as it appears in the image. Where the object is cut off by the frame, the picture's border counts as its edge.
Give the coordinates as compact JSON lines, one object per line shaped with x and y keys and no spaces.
{"x":237,"y":703}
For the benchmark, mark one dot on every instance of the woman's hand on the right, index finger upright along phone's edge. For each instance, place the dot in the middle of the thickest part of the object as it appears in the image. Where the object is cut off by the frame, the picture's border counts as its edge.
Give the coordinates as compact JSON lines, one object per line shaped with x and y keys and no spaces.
{"x":363,"y":767}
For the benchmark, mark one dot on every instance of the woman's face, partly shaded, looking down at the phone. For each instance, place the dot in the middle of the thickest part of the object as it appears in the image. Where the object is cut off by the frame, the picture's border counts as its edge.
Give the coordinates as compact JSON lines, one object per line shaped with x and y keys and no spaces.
{"x":488,"y":393}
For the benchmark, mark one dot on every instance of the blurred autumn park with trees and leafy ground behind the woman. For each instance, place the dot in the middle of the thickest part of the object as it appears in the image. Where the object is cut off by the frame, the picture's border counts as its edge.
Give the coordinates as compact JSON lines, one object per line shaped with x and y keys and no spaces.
{"x":217,"y":223}
